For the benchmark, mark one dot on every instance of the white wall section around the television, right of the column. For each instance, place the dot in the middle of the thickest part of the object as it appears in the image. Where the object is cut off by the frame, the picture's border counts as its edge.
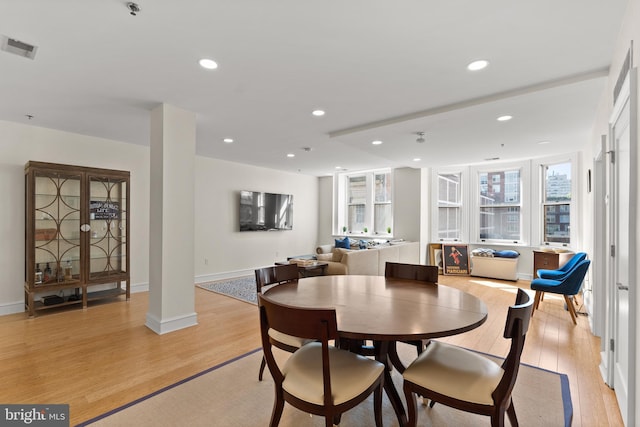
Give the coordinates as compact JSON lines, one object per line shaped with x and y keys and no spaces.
{"x":221,"y":249}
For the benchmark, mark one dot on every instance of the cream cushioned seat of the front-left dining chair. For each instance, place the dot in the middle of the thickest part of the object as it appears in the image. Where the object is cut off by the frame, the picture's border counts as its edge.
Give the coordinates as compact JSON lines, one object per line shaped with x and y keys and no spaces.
{"x":351,"y":374}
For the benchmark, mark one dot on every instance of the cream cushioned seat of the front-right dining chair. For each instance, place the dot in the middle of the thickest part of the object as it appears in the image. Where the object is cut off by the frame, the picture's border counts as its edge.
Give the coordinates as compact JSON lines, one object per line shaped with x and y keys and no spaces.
{"x":455,"y":372}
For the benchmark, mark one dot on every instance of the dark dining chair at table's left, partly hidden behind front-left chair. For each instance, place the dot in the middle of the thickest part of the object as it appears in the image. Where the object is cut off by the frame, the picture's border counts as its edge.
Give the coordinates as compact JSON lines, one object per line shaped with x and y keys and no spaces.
{"x":275,"y":275}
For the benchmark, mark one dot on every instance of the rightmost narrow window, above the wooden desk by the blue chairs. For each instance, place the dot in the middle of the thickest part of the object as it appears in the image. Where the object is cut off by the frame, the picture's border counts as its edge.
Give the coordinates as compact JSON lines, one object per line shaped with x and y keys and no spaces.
{"x":556,"y":203}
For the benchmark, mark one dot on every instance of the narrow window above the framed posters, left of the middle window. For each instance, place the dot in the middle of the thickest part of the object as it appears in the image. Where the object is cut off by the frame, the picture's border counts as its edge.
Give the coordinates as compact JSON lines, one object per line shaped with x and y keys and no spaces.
{"x":449,"y":206}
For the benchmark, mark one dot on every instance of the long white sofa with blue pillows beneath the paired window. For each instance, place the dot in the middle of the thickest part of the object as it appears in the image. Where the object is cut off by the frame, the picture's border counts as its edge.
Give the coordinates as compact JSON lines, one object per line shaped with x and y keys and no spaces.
{"x":369,"y":262}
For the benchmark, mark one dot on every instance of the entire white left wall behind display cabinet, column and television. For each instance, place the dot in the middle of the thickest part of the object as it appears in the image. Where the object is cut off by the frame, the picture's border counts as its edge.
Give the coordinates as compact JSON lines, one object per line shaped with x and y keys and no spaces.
{"x":217,"y":238}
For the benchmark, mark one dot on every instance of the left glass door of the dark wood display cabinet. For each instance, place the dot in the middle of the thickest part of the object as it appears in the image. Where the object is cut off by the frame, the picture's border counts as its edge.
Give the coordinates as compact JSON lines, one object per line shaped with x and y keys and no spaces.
{"x":57,"y":228}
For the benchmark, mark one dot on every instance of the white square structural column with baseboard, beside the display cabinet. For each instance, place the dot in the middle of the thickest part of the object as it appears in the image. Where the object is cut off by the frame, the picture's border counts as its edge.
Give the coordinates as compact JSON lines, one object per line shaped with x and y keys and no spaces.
{"x":171,"y":219}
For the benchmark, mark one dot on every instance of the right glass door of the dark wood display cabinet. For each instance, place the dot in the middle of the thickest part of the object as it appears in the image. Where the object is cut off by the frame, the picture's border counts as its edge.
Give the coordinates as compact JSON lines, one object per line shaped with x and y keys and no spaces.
{"x":108,"y":229}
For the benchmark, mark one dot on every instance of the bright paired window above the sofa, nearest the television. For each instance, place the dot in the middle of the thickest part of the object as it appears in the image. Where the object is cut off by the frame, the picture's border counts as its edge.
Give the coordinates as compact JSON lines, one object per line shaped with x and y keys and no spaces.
{"x":368,"y":201}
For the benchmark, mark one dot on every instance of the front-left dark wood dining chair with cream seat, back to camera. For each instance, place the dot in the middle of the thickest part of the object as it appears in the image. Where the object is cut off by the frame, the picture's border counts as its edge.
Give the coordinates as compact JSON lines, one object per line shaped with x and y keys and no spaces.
{"x":318,"y":378}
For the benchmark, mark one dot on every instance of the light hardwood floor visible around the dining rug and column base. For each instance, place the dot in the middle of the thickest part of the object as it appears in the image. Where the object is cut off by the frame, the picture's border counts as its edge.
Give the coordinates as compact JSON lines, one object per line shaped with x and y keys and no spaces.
{"x":103,"y":357}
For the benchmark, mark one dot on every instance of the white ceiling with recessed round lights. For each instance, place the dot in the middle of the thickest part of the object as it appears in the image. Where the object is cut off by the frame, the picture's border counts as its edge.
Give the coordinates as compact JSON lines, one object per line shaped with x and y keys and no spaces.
{"x":381,"y":70}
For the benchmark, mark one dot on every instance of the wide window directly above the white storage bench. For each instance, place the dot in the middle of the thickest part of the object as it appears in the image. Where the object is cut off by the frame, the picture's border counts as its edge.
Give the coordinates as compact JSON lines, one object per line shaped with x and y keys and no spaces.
{"x":500,"y":205}
